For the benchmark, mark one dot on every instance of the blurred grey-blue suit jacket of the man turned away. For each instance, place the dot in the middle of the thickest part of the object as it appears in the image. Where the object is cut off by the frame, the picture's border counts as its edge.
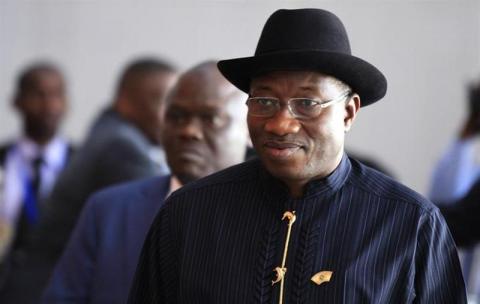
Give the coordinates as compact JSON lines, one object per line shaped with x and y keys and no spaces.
{"x":114,"y":151}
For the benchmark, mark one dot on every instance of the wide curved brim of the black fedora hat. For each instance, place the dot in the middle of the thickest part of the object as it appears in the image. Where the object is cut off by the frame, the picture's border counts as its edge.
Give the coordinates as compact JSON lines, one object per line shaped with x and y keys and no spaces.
{"x":364,"y":79}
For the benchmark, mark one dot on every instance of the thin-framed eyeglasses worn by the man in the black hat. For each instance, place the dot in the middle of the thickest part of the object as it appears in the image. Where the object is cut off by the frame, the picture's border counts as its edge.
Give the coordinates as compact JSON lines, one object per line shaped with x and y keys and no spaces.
{"x":322,"y":104}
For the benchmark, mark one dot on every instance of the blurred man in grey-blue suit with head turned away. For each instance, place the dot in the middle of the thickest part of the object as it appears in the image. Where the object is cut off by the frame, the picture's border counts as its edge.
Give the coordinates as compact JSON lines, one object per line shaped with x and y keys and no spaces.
{"x":123,"y":144}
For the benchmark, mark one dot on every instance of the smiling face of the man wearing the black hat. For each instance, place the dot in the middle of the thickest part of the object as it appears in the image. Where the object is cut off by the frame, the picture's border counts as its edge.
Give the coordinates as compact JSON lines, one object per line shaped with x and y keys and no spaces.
{"x":299,"y":150}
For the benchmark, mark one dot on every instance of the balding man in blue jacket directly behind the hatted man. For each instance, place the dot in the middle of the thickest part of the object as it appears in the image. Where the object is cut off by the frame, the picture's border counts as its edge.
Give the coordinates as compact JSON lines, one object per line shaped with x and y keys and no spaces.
{"x":205,"y":131}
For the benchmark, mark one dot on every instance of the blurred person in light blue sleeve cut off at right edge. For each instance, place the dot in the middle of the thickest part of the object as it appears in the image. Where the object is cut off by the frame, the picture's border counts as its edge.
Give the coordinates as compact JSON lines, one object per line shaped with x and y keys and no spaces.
{"x":452,"y":179}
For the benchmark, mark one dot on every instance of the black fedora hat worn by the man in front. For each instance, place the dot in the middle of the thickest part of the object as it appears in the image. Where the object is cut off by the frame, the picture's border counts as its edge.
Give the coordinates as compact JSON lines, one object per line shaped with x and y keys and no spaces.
{"x":311,"y":40}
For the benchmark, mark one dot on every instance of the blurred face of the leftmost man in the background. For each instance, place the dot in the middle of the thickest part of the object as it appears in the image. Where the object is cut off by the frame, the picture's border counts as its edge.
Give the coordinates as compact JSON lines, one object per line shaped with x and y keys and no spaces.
{"x":43,"y":104}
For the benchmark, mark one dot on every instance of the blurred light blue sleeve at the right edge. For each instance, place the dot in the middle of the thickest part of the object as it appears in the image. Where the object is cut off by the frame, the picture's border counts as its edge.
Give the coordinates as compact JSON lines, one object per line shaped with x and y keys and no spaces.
{"x":455,"y":172}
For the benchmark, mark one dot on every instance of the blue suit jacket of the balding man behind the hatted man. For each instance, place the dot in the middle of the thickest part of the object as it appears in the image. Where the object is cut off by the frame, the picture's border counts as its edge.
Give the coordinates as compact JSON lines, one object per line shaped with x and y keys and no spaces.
{"x":99,"y":262}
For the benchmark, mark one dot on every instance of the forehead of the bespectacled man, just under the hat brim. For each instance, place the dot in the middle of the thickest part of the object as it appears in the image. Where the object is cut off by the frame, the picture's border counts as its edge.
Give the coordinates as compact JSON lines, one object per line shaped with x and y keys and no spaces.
{"x":293,"y":80}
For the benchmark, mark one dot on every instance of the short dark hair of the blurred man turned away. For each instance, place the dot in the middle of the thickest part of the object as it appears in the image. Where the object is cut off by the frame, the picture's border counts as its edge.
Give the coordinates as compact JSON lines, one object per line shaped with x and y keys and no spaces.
{"x":143,"y":66}
